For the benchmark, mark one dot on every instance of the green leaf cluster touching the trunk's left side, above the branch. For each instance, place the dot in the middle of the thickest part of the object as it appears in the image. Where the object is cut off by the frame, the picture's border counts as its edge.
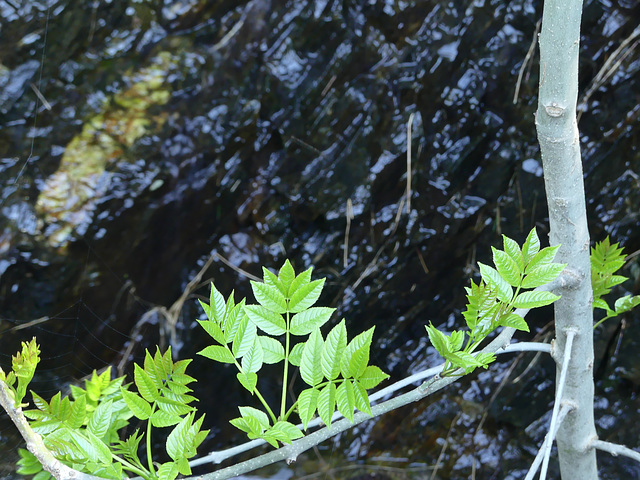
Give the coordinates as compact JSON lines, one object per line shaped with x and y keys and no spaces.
{"x":491,"y":302}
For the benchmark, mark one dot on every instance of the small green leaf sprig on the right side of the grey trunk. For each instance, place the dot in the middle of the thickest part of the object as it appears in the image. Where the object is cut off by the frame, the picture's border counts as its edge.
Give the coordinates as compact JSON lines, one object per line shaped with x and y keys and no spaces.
{"x":606,"y":260}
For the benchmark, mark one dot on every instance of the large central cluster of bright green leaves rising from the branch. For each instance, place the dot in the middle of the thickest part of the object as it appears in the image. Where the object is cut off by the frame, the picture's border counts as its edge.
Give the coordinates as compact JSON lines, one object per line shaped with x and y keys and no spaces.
{"x":335,"y":370}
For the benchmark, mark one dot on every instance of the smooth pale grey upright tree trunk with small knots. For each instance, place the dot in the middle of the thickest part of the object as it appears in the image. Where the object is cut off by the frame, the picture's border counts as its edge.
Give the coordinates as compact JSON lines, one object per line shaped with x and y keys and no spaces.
{"x":560,"y":148}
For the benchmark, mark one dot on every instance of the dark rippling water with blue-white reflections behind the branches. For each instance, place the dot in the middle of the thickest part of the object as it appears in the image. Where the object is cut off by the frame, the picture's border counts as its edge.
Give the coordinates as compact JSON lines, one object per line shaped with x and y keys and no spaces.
{"x":180,"y":130}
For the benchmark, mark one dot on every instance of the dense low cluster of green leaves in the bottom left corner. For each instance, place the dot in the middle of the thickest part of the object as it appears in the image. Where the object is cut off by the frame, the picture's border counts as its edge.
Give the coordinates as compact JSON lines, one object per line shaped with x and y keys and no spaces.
{"x":82,"y":430}
